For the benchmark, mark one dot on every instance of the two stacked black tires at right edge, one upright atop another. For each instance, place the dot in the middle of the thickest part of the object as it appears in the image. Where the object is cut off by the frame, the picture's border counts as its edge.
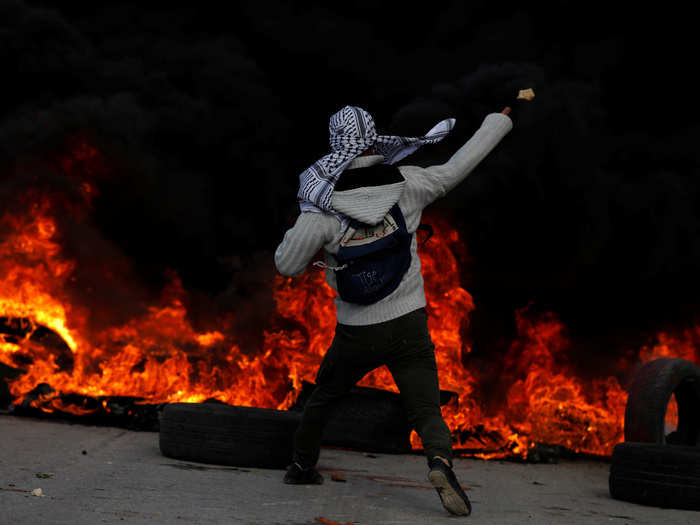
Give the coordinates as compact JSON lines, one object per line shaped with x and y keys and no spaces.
{"x":650,"y":467}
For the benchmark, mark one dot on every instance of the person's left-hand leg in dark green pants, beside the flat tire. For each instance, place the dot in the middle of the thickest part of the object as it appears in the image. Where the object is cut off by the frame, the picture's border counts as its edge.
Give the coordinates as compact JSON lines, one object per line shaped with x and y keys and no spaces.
{"x":348,"y":359}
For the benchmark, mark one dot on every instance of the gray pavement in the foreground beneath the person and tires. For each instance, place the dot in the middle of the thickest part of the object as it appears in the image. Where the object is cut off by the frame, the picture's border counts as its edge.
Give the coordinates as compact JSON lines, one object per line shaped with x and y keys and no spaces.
{"x":123,"y":478}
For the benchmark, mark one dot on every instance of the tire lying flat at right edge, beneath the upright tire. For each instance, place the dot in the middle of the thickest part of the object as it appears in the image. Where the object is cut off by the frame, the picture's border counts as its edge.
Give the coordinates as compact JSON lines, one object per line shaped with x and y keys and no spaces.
{"x":656,"y":475}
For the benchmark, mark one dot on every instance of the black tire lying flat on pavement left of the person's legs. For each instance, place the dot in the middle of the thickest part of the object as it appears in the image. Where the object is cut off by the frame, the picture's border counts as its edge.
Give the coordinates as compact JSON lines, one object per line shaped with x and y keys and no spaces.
{"x":228,"y":435}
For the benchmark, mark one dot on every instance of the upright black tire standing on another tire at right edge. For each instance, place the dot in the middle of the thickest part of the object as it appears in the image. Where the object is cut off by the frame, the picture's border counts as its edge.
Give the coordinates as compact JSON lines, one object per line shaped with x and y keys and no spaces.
{"x":649,"y":395}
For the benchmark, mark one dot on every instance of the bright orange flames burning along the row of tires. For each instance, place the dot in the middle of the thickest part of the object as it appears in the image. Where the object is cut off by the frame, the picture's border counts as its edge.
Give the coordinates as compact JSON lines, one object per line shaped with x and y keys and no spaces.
{"x":160,"y":357}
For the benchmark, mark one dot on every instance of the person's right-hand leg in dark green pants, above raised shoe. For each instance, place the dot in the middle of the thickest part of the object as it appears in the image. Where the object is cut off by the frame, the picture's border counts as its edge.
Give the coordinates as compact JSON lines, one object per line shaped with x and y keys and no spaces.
{"x":414,"y":370}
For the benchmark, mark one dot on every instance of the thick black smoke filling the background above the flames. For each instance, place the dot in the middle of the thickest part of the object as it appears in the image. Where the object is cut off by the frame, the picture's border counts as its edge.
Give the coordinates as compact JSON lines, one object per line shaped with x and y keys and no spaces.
{"x":205,"y":115}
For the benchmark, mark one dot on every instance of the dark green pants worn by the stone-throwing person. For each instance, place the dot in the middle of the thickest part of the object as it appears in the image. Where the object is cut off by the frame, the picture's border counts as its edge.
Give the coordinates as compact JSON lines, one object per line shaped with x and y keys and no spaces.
{"x":404,"y":345}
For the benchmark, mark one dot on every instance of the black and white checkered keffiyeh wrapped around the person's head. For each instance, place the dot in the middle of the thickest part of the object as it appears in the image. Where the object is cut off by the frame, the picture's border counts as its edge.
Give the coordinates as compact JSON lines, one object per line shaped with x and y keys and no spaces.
{"x":352,"y":131}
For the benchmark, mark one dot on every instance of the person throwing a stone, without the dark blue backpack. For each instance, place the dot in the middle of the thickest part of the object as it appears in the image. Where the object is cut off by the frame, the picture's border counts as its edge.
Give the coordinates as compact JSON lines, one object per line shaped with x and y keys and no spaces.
{"x":393,"y":331}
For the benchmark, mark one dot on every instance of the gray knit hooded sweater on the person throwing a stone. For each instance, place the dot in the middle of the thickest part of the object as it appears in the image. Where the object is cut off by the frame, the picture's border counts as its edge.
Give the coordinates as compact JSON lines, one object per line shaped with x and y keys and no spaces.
{"x":369,"y":205}
